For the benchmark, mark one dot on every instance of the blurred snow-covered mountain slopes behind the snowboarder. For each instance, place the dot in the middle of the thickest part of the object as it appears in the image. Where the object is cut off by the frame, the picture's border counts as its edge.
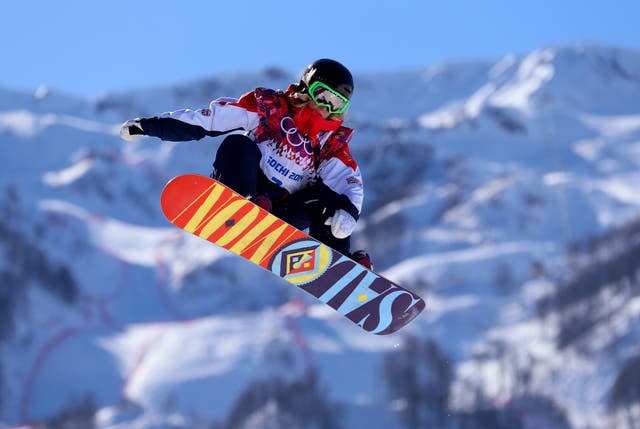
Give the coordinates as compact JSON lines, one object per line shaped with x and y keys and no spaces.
{"x":504,"y":192}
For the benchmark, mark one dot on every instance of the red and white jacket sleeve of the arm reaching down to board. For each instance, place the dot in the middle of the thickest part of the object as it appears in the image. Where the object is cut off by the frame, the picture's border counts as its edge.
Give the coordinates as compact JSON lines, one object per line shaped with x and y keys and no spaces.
{"x":341,"y":175}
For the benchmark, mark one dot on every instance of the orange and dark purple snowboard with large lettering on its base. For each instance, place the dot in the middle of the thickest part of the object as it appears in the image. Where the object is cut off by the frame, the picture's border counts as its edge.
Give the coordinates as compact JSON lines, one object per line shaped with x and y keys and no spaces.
{"x":210,"y":210}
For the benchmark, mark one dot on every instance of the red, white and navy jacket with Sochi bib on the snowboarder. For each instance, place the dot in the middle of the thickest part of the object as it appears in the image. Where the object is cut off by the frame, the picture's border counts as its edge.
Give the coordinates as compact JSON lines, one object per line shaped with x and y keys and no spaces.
{"x":290,"y":158}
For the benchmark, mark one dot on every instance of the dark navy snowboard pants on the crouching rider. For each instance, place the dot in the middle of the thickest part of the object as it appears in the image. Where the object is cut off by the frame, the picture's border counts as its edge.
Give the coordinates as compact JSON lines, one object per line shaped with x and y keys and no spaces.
{"x":237,"y":165}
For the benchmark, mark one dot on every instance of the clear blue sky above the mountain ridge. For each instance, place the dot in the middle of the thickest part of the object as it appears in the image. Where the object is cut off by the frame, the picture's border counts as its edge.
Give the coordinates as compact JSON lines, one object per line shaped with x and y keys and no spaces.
{"x":87,"y":48}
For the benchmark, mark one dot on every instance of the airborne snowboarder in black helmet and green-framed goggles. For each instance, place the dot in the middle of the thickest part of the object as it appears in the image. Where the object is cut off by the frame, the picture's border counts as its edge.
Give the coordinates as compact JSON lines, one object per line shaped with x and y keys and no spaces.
{"x":292,"y":158}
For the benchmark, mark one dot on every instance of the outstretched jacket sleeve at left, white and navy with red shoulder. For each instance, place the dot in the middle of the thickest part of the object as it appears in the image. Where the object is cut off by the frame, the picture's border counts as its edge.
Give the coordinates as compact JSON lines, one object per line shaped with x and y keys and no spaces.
{"x":222,"y":116}
